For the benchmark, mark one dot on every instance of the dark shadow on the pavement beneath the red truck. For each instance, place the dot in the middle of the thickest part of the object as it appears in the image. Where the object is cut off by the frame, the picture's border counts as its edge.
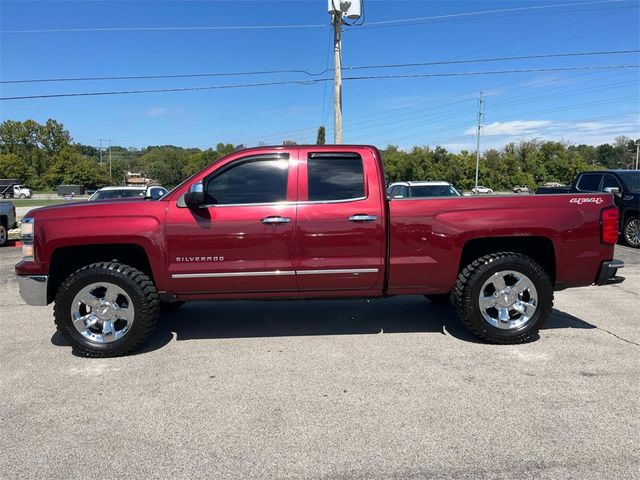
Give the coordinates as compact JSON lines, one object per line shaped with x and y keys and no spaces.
{"x":253,"y":319}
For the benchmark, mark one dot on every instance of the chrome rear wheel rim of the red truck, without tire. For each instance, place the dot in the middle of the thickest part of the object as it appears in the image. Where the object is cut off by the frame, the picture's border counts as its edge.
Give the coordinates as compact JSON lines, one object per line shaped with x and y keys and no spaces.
{"x":508,"y":300}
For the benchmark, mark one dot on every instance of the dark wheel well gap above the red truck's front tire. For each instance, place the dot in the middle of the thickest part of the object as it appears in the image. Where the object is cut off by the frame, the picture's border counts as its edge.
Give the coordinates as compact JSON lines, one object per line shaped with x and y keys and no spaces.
{"x":67,"y":260}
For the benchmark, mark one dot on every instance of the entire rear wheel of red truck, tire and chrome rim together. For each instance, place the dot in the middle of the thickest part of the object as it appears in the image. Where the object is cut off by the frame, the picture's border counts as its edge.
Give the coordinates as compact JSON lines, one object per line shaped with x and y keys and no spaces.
{"x":504,"y":297}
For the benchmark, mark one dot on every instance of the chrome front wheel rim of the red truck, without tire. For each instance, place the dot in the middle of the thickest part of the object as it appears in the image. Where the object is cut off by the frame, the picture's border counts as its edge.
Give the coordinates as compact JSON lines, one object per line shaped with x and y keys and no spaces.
{"x":102,"y":312}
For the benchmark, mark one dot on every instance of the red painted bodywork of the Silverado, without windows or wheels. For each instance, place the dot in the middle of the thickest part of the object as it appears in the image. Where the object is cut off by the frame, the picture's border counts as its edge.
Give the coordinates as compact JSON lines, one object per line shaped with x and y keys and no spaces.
{"x":424,"y":238}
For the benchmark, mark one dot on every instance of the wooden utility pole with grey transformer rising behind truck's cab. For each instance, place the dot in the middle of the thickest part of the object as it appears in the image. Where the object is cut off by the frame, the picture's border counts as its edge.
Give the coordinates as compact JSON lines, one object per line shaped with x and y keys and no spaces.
{"x":338,"y":9}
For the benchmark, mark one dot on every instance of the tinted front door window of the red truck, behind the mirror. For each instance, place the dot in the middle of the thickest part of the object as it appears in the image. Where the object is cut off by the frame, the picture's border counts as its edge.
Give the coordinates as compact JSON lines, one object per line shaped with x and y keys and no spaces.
{"x":256,"y":181}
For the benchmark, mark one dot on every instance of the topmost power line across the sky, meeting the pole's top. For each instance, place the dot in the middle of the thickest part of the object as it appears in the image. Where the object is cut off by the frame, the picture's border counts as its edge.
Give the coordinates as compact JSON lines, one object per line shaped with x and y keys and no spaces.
{"x":275,"y":27}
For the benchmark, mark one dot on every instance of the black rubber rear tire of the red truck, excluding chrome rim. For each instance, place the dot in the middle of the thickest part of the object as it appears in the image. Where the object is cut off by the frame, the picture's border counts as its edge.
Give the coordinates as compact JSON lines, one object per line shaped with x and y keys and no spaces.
{"x":468,"y":289}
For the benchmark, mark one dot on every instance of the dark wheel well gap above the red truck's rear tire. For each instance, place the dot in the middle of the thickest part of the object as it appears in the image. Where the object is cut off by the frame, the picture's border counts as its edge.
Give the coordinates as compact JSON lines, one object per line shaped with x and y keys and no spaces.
{"x":539,"y":249}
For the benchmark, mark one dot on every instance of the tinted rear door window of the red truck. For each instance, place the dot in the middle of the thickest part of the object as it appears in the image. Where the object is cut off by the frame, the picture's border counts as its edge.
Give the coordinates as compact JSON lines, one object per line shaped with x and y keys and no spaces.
{"x":335,"y":178}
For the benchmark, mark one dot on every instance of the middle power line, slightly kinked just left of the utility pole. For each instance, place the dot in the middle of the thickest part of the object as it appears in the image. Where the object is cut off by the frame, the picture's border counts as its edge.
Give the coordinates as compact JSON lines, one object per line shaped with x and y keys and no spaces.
{"x":327,"y":70}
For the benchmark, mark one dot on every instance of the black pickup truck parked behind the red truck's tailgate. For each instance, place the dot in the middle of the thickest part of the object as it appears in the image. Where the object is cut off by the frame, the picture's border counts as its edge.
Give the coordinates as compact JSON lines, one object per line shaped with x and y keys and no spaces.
{"x":624,"y":185}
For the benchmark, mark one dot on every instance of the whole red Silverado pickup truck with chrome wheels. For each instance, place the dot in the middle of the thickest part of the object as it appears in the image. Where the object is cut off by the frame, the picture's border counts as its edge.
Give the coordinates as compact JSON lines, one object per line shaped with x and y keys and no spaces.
{"x":309,"y":222}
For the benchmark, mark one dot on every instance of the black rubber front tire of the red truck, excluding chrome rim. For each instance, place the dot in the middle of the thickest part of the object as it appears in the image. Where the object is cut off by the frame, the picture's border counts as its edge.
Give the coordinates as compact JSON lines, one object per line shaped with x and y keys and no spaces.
{"x":138,"y":287}
